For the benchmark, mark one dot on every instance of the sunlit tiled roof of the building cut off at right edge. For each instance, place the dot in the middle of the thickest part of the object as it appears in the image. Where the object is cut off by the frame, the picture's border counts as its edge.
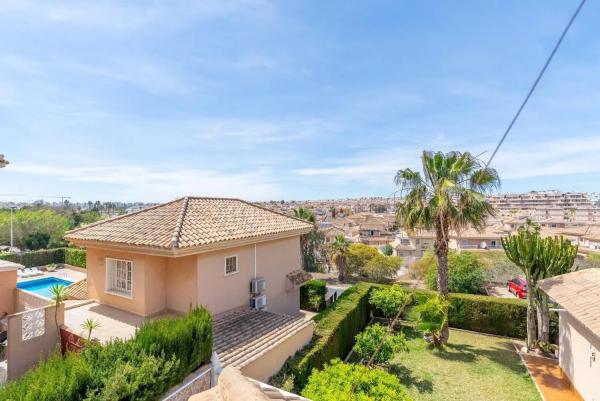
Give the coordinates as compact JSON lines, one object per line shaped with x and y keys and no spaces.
{"x":579,"y":293}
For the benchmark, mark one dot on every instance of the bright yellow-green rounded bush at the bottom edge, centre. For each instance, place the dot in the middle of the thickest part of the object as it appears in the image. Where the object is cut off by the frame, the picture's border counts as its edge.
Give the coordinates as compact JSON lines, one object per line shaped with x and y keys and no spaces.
{"x":345,"y":382}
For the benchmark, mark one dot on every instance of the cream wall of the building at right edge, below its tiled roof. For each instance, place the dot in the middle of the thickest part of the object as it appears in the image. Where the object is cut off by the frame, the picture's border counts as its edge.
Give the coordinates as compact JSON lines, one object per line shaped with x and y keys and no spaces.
{"x":577,"y":345}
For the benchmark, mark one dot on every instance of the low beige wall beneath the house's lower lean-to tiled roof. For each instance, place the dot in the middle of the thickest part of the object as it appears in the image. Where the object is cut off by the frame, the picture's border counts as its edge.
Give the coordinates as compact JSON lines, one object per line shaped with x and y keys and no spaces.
{"x":271,"y":362}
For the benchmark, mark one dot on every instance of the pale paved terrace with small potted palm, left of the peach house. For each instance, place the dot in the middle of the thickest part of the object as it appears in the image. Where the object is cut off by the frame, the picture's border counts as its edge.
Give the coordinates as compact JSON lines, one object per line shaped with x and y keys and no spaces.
{"x":114,"y":323}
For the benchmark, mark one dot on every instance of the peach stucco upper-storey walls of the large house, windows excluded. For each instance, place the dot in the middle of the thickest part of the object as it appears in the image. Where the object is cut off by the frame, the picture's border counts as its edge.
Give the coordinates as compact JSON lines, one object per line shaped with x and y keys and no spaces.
{"x":161,"y":283}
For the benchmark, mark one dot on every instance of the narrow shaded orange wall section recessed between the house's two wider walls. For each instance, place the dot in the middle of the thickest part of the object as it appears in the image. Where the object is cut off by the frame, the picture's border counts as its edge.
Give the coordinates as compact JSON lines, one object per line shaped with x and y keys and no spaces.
{"x":182,"y":283}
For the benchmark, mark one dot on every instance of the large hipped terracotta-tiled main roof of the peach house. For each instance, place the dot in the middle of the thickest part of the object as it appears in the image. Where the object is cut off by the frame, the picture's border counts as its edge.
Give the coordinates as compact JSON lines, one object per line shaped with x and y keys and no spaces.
{"x":189,"y":222}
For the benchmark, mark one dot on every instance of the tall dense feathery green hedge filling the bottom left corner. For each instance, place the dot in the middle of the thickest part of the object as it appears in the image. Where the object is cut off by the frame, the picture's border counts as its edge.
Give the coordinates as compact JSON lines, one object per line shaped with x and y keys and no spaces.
{"x":161,"y":354}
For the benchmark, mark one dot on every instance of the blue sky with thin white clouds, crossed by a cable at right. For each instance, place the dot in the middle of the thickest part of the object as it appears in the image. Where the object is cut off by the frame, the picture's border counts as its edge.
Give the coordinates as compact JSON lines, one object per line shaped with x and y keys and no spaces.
{"x":150,"y":100}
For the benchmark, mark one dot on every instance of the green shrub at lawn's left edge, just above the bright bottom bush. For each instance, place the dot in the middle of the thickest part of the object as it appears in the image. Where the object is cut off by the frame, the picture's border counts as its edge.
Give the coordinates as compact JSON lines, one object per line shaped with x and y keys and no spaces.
{"x":373,"y":341}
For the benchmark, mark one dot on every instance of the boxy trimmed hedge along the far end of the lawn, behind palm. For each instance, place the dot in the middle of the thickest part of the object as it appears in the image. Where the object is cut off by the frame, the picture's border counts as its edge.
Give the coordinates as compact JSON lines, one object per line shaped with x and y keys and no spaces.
{"x":484,"y":314}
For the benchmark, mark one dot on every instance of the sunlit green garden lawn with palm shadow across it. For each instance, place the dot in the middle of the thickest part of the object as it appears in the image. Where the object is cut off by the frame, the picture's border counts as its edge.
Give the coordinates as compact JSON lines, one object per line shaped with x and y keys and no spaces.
{"x":472,"y":367}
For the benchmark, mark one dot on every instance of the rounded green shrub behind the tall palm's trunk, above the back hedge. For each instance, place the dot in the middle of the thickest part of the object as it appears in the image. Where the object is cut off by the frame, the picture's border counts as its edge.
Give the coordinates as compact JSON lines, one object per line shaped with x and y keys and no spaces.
{"x":465,"y":274}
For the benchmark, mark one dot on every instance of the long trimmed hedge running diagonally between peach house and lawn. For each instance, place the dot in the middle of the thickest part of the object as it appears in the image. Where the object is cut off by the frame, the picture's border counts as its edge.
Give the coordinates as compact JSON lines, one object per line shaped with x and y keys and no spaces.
{"x":335,"y":330}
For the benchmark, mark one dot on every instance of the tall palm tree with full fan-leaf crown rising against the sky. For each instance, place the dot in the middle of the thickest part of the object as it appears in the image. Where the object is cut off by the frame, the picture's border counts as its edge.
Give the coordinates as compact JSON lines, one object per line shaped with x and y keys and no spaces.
{"x":451,"y":194}
